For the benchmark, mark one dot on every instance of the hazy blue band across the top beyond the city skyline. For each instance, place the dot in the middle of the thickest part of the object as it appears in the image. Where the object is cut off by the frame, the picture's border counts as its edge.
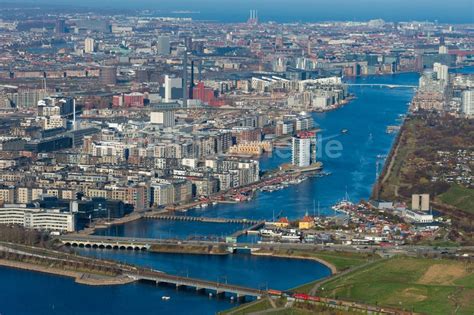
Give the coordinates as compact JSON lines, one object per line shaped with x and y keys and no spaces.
{"x":452,"y":11}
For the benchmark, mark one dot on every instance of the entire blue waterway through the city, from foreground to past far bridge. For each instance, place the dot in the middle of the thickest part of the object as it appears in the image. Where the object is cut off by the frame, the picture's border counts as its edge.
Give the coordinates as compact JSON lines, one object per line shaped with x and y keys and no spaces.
{"x":366,"y":119}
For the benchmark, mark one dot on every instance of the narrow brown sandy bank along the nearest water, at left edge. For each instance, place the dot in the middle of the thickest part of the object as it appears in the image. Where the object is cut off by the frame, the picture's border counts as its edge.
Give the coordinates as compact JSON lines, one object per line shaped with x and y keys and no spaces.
{"x":79,"y":277}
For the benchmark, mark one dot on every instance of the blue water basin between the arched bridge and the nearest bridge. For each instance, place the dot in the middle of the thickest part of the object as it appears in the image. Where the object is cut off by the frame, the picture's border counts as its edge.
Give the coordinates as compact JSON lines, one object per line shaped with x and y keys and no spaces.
{"x":240,"y":269}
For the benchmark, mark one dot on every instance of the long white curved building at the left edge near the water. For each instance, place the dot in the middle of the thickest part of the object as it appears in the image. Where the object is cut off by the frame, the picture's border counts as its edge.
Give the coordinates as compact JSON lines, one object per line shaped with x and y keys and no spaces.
{"x":38,"y":218}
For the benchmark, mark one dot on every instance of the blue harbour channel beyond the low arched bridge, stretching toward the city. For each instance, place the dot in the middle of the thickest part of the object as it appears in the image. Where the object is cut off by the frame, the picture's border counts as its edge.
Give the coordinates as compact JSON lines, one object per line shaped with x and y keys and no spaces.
{"x":352,"y":168}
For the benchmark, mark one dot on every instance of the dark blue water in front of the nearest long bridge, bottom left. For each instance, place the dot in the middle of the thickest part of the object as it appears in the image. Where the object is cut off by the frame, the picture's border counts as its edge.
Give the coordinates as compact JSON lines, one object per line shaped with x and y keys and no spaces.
{"x":25,"y":292}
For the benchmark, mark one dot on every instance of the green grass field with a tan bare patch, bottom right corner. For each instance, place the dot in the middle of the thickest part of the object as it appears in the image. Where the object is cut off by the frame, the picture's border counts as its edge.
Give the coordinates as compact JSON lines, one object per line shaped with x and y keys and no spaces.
{"x":420,"y":285}
